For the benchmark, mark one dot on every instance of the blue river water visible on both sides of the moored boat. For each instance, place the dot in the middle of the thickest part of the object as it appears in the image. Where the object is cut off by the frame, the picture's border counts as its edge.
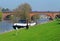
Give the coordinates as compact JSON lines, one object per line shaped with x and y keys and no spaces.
{"x":7,"y":26}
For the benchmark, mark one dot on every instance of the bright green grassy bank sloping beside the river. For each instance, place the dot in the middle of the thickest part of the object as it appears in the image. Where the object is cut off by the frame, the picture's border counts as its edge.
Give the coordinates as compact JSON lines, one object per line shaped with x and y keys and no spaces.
{"x":43,"y":32}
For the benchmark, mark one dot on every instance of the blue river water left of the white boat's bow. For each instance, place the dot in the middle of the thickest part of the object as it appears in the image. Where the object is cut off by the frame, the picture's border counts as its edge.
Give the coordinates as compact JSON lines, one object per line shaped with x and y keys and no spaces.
{"x":5,"y":26}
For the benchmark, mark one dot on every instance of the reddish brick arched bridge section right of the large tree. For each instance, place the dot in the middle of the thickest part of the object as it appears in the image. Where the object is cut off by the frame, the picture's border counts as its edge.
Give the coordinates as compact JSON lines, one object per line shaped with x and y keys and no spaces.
{"x":48,"y":14}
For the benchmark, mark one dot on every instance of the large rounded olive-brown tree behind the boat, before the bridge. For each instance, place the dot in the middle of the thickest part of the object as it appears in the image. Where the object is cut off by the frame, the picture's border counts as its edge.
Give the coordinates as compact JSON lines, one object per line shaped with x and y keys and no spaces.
{"x":22,"y":12}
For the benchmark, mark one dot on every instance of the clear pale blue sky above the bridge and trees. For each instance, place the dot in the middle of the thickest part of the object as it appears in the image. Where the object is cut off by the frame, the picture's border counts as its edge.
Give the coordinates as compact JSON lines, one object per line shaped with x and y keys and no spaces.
{"x":37,"y":5}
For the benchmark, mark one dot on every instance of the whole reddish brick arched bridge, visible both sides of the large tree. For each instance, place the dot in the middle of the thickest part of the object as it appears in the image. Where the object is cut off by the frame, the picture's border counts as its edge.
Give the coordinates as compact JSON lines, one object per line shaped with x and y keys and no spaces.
{"x":48,"y":14}
